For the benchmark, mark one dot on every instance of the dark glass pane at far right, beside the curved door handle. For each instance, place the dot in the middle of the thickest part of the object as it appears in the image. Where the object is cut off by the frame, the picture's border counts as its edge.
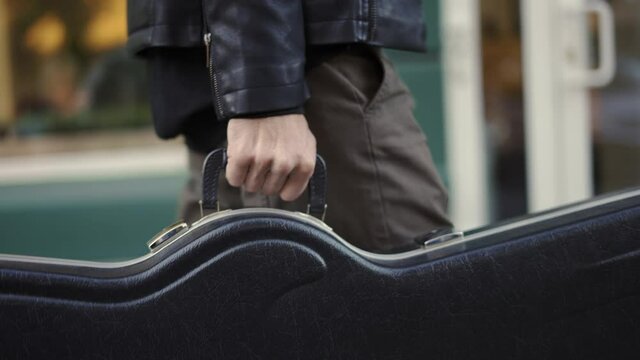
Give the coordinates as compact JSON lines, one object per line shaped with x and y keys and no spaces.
{"x":615,"y":108}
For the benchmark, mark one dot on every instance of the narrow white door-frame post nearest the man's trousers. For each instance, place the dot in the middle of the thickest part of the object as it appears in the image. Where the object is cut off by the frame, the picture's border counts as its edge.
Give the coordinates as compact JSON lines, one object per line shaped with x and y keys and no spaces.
{"x":464,"y":113}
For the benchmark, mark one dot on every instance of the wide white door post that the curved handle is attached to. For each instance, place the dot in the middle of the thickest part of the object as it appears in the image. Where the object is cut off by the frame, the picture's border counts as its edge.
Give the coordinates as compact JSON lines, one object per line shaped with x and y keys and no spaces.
{"x":557,"y":116}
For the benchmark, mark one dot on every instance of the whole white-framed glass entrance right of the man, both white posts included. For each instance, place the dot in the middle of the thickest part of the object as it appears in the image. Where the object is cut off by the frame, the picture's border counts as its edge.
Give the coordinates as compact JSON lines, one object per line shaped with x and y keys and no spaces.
{"x":545,"y":95}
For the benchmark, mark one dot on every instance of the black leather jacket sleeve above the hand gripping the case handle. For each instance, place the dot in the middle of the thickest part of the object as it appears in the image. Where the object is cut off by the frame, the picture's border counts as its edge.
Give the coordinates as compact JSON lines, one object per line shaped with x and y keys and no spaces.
{"x":256,"y":55}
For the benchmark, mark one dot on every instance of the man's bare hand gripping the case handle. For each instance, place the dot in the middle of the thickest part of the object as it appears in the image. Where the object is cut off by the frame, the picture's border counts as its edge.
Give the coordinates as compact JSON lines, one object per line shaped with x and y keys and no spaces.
{"x":274,"y":155}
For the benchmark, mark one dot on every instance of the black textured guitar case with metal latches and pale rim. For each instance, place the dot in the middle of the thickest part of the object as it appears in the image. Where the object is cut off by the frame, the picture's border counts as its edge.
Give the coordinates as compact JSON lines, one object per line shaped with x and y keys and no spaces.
{"x":268,"y":284}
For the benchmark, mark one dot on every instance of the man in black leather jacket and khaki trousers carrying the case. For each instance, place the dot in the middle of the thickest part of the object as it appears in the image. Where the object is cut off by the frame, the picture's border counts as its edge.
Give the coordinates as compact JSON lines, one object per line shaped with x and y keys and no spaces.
{"x":278,"y":79}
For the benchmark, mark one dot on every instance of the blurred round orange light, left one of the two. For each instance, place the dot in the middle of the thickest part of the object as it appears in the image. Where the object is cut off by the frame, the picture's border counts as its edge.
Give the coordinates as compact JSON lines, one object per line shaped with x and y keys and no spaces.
{"x":46,"y":36}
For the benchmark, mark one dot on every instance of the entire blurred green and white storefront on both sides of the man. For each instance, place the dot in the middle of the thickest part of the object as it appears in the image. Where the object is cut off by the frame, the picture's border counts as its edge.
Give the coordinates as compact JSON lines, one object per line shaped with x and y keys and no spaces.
{"x":527,"y":105}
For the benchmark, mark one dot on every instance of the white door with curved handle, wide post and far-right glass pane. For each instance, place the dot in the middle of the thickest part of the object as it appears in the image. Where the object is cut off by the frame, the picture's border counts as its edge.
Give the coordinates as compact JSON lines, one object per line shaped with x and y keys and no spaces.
{"x":582,"y":66}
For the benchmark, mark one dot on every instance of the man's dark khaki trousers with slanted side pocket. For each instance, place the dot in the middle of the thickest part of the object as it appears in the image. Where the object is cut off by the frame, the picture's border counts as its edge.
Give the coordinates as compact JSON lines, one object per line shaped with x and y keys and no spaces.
{"x":383,"y":188}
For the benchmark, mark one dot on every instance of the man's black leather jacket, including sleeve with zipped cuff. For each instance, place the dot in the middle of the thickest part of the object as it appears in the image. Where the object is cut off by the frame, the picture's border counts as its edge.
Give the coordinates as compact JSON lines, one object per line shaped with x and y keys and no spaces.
{"x":256,"y":48}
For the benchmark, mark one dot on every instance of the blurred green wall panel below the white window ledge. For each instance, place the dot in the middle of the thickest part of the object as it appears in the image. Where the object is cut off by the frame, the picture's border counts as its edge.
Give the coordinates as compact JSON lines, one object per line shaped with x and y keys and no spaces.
{"x":87,"y":220}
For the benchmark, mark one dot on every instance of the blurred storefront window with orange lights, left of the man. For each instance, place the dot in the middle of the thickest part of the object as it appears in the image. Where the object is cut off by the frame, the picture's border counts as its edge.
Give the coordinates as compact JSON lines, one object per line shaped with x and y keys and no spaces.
{"x":68,"y":70}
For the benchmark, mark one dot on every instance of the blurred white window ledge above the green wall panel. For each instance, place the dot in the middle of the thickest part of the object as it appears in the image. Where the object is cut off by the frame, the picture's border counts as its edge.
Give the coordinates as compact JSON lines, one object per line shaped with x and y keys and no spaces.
{"x":101,"y":156}
